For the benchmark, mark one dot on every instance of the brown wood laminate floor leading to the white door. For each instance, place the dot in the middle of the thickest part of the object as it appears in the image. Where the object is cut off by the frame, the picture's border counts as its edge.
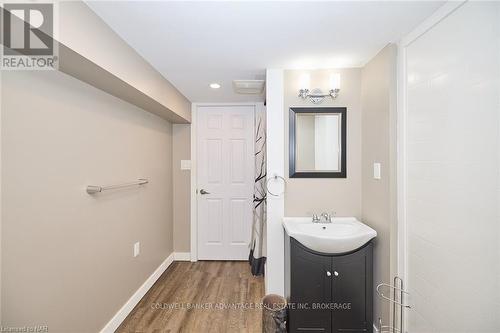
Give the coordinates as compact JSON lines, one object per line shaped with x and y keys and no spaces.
{"x":225,"y":293}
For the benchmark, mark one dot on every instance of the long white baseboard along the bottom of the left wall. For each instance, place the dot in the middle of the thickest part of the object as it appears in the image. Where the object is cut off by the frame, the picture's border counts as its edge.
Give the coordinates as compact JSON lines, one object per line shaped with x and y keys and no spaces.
{"x":118,"y":318}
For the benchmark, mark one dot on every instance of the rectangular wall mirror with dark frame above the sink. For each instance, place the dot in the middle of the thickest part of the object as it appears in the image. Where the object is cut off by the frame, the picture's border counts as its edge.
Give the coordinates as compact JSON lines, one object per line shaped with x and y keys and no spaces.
{"x":318,"y":142}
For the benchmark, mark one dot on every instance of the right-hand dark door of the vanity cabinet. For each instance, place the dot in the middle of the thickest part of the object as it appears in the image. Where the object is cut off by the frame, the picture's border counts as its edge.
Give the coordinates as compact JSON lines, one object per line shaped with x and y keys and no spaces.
{"x":352,"y":291}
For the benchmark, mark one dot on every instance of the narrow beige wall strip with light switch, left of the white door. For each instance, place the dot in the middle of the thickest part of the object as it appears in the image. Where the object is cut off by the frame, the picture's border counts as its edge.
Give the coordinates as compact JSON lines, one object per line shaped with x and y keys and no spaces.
{"x":182,"y":187}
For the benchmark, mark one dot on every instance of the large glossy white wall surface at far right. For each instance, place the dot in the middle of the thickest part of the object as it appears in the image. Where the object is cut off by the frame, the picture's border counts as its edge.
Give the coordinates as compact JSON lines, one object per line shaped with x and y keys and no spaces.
{"x":453,"y":174}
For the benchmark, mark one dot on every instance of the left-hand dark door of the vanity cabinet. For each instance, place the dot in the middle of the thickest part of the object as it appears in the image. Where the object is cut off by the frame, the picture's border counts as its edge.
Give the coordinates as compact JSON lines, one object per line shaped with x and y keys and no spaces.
{"x":311,"y":286}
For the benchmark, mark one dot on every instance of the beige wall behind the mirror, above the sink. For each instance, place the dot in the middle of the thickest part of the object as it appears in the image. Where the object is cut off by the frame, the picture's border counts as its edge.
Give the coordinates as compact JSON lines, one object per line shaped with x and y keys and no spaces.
{"x":307,"y":195}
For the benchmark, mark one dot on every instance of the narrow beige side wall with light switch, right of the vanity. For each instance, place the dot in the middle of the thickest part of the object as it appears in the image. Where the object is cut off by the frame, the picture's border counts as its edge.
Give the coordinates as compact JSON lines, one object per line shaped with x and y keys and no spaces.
{"x":378,"y":97}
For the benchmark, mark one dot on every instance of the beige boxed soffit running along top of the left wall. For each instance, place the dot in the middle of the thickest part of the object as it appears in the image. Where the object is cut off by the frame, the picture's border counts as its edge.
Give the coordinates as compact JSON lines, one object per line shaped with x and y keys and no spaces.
{"x":92,"y":52}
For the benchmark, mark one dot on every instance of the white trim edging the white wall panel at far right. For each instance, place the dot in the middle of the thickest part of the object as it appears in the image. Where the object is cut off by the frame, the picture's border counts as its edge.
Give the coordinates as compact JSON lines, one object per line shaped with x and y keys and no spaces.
{"x":402,"y":111}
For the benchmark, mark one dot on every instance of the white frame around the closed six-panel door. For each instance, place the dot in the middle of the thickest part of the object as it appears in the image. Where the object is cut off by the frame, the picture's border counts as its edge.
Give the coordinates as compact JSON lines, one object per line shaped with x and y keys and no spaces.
{"x":194,"y":170}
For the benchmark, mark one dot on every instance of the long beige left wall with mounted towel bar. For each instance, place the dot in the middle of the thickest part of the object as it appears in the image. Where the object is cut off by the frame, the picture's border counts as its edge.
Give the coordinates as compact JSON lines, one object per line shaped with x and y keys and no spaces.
{"x":66,"y":256}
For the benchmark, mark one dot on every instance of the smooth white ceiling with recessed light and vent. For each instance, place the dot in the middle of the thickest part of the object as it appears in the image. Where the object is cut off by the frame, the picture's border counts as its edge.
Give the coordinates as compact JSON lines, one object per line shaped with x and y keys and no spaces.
{"x":195,"y":43}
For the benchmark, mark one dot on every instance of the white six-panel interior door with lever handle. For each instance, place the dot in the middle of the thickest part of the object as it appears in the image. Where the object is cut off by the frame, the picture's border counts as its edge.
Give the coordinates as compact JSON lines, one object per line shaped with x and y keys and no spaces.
{"x":225,"y":166}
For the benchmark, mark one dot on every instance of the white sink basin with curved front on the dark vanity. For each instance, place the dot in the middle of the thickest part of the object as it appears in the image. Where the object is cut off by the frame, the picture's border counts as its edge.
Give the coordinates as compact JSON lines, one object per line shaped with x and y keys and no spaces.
{"x":344,"y":234}
